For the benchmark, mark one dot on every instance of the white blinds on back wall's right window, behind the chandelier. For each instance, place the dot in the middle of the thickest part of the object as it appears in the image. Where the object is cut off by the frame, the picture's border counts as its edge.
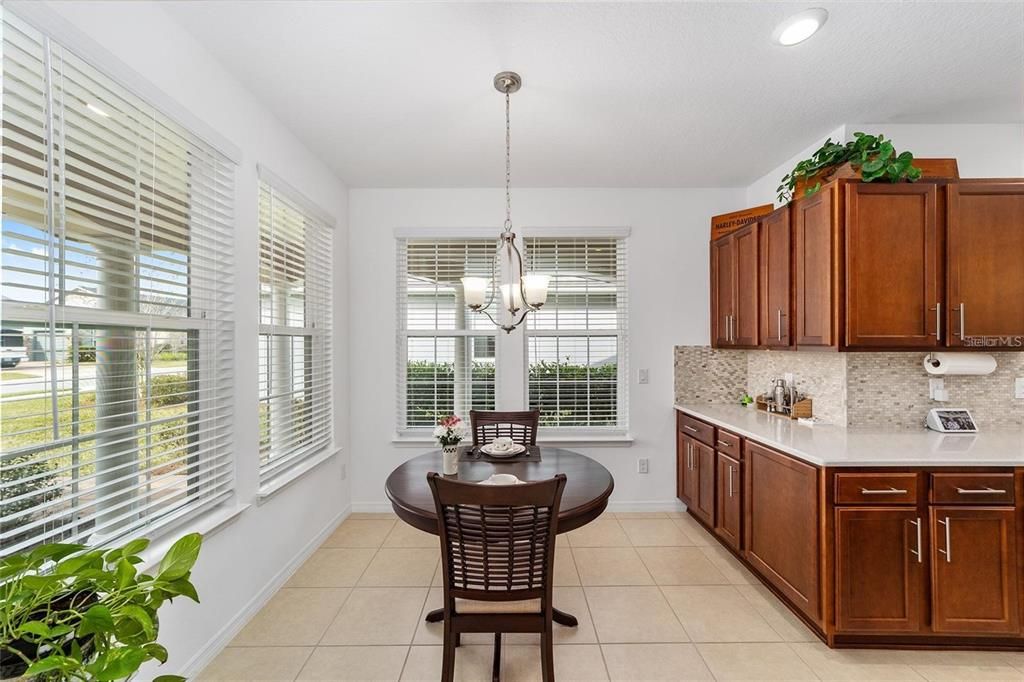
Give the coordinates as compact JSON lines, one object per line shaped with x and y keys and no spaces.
{"x":577,"y":343}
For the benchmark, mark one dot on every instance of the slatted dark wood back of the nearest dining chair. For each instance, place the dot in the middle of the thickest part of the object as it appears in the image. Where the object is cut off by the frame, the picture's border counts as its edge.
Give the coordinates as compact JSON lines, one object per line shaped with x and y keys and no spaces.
{"x":498,"y":542}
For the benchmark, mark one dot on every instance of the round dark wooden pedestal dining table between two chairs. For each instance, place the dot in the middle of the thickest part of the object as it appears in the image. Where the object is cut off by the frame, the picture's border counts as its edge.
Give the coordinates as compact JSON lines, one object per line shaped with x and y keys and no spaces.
{"x":588,"y":487}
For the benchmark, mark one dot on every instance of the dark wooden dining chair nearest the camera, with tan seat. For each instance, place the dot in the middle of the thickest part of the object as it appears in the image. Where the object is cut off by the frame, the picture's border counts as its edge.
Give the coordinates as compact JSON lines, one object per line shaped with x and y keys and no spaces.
{"x":498,"y":555}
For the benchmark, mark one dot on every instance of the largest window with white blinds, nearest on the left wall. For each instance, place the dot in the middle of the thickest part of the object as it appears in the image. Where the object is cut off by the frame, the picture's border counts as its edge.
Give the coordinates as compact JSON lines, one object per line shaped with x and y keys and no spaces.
{"x":116,"y":394}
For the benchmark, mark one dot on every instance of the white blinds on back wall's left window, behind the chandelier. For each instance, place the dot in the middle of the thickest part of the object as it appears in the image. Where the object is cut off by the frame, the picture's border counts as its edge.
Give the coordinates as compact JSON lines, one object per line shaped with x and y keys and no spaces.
{"x":447,"y":354}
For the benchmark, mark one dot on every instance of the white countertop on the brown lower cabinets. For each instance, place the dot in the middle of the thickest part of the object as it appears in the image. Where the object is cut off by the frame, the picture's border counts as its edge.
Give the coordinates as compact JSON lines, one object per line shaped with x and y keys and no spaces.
{"x":837,"y":447}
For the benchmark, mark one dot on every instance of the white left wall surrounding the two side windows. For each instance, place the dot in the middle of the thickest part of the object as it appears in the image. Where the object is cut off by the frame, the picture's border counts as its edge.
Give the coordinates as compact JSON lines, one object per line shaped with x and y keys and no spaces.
{"x":242,"y":560}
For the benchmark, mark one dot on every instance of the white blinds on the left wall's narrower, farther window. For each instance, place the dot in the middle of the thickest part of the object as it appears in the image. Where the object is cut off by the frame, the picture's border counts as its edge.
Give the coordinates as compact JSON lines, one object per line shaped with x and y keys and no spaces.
{"x":295,"y":272}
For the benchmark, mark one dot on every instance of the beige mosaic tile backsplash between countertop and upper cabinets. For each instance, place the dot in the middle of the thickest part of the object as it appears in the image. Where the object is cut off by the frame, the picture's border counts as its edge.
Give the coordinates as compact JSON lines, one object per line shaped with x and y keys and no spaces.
{"x":882,"y":391}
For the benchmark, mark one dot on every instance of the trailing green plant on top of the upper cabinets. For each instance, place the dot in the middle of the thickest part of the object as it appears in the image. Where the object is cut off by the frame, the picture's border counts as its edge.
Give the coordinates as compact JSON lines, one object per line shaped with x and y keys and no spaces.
{"x":874,"y":156}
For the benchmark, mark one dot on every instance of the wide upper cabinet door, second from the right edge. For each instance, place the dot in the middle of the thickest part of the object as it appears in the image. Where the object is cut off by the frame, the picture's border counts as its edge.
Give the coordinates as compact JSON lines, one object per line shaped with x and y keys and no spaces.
{"x":893,"y":267}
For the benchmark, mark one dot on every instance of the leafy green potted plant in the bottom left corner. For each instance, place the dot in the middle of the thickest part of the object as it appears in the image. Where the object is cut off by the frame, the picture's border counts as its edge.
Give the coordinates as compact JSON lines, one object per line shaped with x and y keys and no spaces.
{"x":68,"y":613}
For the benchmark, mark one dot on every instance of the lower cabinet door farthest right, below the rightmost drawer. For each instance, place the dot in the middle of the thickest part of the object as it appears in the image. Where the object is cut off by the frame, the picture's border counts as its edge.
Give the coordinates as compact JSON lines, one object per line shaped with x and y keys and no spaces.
{"x":974,"y":571}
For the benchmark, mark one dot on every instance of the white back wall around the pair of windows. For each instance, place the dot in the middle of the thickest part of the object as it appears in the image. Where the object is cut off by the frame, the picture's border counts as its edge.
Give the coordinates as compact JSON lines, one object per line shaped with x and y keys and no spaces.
{"x":668,"y":289}
